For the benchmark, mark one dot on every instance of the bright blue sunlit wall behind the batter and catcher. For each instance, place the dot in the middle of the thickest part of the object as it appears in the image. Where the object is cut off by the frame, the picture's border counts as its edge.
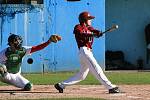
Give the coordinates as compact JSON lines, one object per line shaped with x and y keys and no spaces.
{"x":39,"y":21}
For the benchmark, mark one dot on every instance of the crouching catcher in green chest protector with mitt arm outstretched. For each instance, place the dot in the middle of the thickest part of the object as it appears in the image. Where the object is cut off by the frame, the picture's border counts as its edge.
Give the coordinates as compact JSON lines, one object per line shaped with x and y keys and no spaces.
{"x":11,"y":59}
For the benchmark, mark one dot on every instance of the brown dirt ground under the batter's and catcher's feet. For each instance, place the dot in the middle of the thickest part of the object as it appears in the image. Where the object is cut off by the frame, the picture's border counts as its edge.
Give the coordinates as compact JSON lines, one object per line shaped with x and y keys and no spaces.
{"x":132,"y":92}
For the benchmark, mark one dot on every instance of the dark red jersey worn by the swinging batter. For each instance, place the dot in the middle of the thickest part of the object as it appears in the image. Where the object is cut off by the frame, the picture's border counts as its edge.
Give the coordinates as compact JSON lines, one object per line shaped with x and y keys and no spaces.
{"x":84,"y":35}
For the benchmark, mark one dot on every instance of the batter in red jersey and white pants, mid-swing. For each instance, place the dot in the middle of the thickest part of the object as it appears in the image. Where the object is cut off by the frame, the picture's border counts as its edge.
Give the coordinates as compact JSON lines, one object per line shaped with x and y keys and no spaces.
{"x":84,"y":35}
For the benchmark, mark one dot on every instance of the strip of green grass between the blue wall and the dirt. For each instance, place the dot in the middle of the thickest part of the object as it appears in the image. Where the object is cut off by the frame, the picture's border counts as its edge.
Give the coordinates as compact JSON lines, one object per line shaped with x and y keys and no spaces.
{"x":114,"y":77}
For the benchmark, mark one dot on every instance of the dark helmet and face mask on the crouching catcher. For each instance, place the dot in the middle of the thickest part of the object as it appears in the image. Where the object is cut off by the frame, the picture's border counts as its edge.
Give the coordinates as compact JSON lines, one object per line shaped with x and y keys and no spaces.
{"x":16,"y":40}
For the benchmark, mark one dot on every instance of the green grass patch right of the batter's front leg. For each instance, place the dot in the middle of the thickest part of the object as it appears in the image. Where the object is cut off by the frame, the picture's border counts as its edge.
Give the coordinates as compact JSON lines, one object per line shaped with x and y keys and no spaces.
{"x":129,"y":77}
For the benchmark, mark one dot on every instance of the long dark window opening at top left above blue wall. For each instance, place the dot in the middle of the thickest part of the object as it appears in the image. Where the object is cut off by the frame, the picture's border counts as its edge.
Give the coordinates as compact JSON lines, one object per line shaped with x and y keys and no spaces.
{"x":21,"y":1}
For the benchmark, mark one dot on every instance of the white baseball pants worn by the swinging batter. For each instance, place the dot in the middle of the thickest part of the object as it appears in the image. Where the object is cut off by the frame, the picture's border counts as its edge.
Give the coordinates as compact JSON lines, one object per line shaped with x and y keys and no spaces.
{"x":88,"y":63}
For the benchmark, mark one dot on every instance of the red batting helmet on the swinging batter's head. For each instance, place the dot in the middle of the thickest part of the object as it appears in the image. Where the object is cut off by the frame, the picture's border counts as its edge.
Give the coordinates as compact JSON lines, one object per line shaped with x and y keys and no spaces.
{"x":85,"y":16}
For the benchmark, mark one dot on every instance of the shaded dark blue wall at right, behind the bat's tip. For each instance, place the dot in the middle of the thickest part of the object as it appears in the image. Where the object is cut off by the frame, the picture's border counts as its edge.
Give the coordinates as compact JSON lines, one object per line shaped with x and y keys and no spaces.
{"x":132,"y":16}
